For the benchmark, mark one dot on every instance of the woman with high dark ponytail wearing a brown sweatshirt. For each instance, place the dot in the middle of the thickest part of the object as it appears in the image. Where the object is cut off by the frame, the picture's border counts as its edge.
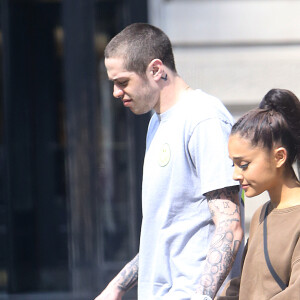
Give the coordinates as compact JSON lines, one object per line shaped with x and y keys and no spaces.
{"x":263,"y":145}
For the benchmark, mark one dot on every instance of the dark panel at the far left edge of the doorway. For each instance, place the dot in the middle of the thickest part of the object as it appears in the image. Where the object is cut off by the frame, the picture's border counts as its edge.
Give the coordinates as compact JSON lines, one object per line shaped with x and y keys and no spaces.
{"x":33,"y":170}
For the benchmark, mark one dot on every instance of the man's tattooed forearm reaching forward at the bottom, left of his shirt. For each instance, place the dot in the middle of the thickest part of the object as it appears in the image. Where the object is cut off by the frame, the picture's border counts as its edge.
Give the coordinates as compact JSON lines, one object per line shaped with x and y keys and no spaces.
{"x":123,"y":282}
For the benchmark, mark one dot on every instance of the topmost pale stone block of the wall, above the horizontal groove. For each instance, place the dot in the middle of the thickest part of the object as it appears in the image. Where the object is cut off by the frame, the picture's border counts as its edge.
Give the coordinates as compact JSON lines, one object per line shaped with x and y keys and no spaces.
{"x":227,"y":21}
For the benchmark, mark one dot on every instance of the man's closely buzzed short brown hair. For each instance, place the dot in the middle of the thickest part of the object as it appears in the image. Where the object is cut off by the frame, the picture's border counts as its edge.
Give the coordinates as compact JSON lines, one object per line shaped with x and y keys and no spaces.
{"x":138,"y":44}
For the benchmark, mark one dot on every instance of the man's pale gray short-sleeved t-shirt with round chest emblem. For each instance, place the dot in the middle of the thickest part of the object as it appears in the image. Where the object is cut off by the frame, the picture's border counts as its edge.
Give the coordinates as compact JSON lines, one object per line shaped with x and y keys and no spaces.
{"x":186,"y":156}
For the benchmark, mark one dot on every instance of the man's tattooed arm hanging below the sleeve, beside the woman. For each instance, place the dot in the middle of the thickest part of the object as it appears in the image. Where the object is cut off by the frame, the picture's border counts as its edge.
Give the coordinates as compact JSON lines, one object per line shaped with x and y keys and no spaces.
{"x":225,"y":210}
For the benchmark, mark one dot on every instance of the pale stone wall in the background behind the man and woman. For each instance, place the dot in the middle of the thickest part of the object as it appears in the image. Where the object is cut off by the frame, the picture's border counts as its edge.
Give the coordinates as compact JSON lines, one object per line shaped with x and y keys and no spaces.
{"x":236,"y":50}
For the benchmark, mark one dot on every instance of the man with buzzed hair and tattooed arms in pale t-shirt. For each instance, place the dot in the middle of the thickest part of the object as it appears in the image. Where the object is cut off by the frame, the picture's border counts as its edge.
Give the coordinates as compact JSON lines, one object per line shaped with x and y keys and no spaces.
{"x":191,"y":228}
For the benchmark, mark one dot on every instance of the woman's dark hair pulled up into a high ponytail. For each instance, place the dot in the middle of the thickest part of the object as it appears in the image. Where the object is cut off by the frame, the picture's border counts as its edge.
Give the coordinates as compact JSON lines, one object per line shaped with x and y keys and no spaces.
{"x":275,"y":122}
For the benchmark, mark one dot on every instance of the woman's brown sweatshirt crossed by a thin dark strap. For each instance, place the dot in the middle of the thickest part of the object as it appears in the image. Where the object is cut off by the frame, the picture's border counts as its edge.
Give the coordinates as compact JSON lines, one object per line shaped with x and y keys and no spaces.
{"x":256,"y":282}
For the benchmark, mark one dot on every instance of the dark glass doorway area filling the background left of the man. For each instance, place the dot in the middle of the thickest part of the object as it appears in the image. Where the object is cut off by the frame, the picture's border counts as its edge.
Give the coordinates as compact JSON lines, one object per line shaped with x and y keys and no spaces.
{"x":71,"y":157}
